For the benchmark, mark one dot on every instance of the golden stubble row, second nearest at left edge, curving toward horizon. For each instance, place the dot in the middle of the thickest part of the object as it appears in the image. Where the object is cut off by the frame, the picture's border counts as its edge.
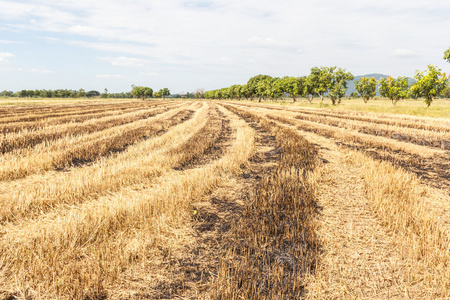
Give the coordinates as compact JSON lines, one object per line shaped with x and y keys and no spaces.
{"x":139,"y":164}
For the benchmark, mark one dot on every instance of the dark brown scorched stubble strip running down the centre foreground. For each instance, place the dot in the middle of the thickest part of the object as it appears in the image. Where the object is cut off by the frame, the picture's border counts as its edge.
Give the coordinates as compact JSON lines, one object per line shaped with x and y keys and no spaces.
{"x":273,"y":245}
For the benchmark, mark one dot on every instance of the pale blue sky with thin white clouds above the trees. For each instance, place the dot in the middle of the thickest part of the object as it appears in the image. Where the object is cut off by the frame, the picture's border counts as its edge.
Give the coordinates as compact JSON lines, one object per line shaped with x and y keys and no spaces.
{"x":185,"y":45}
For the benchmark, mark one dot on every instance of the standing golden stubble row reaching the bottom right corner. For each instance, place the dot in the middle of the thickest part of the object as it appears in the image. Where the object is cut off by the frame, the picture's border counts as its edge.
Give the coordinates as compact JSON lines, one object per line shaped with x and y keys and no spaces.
{"x":398,"y":198}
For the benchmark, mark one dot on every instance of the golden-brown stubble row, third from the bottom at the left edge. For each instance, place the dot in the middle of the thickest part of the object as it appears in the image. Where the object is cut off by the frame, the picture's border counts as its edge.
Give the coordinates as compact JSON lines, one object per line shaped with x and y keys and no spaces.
{"x":78,"y":150}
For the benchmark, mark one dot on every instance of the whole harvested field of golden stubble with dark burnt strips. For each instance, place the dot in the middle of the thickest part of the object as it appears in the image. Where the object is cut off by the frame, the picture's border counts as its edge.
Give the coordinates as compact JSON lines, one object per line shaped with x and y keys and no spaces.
{"x":221,"y":200}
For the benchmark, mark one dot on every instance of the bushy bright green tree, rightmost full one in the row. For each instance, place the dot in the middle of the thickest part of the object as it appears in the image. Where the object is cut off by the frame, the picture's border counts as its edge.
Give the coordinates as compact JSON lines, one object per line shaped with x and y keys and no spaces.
{"x":429,"y":84}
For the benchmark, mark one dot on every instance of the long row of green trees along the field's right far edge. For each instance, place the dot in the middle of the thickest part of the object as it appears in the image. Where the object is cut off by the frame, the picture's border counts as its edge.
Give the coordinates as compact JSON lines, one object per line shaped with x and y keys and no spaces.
{"x":333,"y":82}
